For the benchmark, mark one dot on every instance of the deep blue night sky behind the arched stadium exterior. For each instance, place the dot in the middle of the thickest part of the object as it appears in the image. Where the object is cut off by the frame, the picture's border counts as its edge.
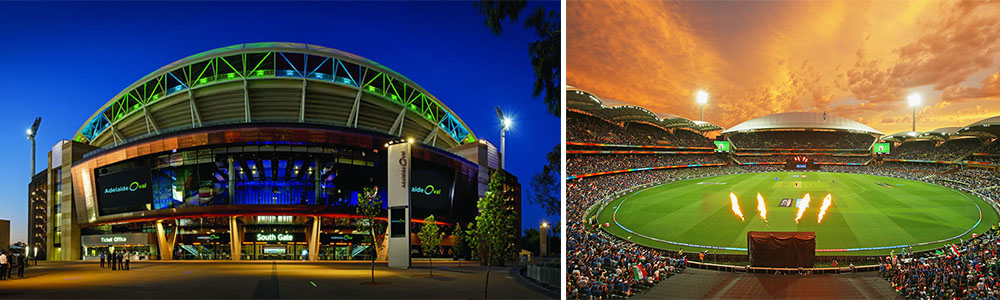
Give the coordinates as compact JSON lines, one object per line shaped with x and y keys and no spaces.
{"x":63,"y":61}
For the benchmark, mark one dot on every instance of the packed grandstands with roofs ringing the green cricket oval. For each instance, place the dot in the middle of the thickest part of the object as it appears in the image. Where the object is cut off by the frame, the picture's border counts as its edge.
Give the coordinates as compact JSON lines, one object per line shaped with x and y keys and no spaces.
{"x":612,"y":150}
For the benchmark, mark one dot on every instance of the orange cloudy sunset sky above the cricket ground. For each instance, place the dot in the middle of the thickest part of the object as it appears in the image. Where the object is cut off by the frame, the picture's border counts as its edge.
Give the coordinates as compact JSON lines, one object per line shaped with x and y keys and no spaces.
{"x":854,"y":59}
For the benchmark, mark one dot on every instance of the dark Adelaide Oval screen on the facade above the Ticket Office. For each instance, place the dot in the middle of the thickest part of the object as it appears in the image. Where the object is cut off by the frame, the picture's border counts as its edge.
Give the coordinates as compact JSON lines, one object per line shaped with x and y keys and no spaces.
{"x":124,"y":191}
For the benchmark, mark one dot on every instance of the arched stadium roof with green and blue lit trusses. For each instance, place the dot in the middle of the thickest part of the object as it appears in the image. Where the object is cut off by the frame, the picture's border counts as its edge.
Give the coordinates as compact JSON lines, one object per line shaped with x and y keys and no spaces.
{"x":274,"y":82}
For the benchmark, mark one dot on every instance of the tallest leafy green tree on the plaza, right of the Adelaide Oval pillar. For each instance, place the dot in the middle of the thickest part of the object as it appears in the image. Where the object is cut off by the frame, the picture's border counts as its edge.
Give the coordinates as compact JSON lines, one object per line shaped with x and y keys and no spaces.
{"x":494,"y":230}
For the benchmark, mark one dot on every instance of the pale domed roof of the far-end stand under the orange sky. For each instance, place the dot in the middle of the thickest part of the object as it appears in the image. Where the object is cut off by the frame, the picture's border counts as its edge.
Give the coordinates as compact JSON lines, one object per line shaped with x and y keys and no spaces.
{"x":802,"y":120}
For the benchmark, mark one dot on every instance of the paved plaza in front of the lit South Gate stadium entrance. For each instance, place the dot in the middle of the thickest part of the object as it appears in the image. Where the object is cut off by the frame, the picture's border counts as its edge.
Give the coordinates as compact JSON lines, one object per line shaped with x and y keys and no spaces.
{"x":267,"y":280}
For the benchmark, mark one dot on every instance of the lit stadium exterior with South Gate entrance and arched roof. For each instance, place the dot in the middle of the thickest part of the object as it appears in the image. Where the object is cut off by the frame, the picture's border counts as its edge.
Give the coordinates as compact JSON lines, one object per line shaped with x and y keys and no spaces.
{"x":256,"y":151}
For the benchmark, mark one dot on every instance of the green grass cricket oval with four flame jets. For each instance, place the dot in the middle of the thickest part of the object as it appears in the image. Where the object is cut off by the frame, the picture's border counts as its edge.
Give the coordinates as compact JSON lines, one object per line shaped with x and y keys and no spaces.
{"x":866,"y":211}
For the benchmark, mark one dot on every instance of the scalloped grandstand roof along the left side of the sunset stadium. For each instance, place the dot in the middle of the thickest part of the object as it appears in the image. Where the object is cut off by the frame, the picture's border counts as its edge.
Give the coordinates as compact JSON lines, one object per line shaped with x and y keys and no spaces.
{"x":585,"y":101}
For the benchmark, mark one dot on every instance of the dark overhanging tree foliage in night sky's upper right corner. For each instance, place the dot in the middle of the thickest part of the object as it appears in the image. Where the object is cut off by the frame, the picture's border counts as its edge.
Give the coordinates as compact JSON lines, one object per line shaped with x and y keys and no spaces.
{"x":545,"y":53}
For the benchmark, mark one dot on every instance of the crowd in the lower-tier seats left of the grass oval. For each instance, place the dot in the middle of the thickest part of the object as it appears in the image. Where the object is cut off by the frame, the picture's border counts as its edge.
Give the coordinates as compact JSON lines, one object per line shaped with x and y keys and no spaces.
{"x":603,"y":266}
